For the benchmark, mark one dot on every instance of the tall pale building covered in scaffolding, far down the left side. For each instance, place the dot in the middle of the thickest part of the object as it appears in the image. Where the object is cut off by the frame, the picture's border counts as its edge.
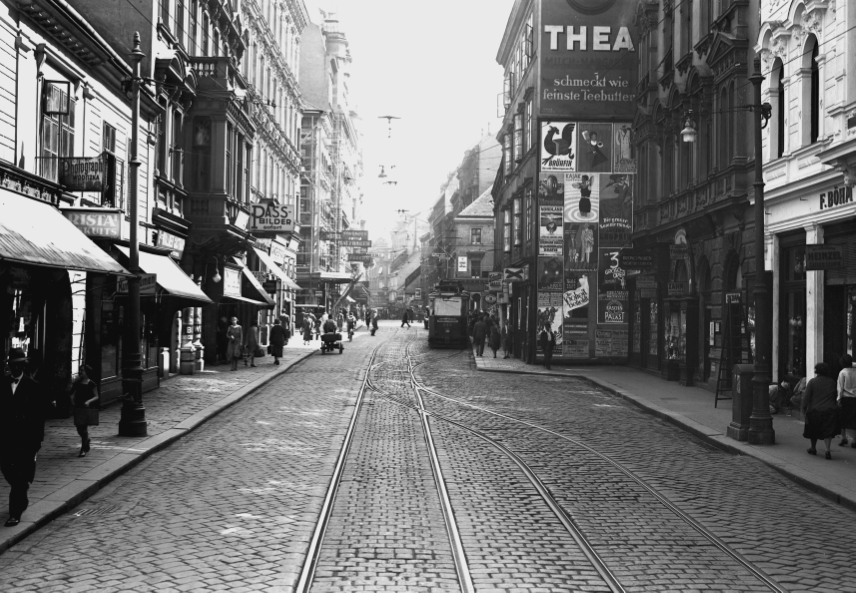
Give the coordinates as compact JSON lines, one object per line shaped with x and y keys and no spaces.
{"x":330,"y":191}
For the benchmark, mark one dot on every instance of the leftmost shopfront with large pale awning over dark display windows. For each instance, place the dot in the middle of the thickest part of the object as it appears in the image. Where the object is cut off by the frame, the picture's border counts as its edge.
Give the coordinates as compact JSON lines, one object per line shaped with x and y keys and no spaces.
{"x":45,"y":267}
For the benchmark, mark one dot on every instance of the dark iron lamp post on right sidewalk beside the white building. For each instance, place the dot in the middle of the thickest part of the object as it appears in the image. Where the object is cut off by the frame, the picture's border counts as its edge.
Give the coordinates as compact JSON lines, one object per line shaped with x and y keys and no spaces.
{"x":761,"y":422}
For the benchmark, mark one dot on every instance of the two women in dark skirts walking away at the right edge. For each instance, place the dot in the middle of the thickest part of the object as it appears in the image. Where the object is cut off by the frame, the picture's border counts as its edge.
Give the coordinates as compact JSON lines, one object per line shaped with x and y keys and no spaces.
{"x":829,"y":406}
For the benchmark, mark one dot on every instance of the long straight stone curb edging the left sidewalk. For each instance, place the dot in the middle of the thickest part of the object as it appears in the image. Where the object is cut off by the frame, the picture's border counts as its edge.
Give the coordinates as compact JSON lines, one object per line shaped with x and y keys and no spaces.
{"x":83,"y":487}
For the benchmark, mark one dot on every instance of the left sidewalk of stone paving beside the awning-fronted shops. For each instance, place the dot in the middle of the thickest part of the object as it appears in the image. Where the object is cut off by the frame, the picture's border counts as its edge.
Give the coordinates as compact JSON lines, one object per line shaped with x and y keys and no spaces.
{"x":179,"y":406}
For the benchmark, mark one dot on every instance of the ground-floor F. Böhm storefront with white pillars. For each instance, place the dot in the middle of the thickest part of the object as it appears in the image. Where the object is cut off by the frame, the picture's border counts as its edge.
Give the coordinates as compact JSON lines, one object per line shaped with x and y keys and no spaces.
{"x":814,"y":282}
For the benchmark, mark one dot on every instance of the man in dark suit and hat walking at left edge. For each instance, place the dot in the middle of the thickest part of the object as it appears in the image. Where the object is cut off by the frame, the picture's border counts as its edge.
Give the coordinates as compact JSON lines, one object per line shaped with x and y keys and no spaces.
{"x":23,"y":409}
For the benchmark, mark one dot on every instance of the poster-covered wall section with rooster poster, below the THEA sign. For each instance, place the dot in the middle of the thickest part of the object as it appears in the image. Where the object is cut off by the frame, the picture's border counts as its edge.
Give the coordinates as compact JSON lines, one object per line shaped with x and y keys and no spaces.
{"x":585,"y":198}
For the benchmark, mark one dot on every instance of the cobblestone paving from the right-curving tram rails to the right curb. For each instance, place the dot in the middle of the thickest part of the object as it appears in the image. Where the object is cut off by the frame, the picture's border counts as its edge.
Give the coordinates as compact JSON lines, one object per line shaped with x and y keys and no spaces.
{"x":788,"y":532}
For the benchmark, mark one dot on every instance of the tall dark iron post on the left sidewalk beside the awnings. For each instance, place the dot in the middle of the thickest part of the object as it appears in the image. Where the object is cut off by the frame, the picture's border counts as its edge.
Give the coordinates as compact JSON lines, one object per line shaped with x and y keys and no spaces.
{"x":133,"y":419}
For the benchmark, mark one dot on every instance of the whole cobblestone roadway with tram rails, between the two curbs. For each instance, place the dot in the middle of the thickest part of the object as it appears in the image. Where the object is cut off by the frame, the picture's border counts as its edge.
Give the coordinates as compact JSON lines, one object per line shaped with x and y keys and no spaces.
{"x":541,"y":483}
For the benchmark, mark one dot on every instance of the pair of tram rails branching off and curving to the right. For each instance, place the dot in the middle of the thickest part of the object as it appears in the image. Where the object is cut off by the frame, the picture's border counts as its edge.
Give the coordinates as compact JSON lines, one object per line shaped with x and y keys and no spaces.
{"x":560,"y":512}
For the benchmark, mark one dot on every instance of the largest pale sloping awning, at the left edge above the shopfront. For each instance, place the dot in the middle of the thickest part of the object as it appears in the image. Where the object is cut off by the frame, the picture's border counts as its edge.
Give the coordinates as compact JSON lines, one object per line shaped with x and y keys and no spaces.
{"x":37,"y":234}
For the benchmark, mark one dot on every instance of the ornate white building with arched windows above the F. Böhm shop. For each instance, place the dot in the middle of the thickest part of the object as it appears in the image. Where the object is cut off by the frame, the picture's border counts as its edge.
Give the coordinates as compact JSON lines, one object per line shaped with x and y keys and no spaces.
{"x":807,"y":52}
